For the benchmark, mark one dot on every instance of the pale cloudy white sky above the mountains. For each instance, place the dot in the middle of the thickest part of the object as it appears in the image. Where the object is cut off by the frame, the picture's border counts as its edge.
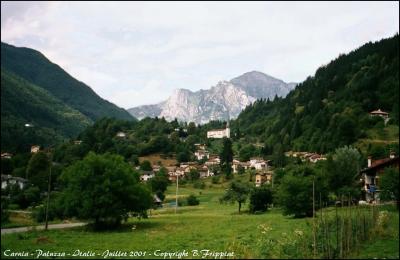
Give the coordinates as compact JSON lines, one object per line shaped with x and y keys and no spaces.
{"x":136,"y":53}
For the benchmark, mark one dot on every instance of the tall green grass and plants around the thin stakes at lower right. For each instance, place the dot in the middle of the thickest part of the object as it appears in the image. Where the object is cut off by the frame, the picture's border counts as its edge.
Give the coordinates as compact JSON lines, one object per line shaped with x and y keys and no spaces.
{"x":334,"y":232}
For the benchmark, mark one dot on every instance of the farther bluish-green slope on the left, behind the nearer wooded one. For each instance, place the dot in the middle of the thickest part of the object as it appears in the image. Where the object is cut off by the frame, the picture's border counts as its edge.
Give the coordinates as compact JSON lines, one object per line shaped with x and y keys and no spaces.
{"x":34,"y":67}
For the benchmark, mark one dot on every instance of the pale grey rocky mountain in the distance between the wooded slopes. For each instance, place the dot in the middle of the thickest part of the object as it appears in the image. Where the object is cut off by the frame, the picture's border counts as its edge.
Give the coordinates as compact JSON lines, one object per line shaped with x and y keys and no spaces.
{"x":222,"y":101}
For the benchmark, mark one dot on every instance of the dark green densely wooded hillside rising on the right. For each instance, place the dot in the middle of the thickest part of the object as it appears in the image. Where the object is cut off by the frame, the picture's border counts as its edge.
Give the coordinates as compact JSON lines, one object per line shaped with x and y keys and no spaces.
{"x":331,"y":108}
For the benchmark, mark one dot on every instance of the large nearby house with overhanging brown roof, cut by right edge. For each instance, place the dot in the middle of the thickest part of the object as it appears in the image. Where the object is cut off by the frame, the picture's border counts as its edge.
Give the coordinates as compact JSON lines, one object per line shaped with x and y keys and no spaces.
{"x":370,"y":176}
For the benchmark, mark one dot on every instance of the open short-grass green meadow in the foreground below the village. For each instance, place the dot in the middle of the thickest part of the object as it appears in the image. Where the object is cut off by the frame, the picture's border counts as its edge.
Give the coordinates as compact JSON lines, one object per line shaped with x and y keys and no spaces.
{"x":208,"y":226}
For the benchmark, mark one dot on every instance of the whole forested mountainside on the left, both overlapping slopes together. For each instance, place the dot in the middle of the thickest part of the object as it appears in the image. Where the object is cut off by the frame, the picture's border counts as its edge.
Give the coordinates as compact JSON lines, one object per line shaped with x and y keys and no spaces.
{"x":36,"y":91}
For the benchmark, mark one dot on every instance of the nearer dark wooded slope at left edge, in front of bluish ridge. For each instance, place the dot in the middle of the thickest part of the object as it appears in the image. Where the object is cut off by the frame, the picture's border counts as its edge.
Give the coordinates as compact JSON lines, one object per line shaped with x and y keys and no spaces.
{"x":24,"y":103}
